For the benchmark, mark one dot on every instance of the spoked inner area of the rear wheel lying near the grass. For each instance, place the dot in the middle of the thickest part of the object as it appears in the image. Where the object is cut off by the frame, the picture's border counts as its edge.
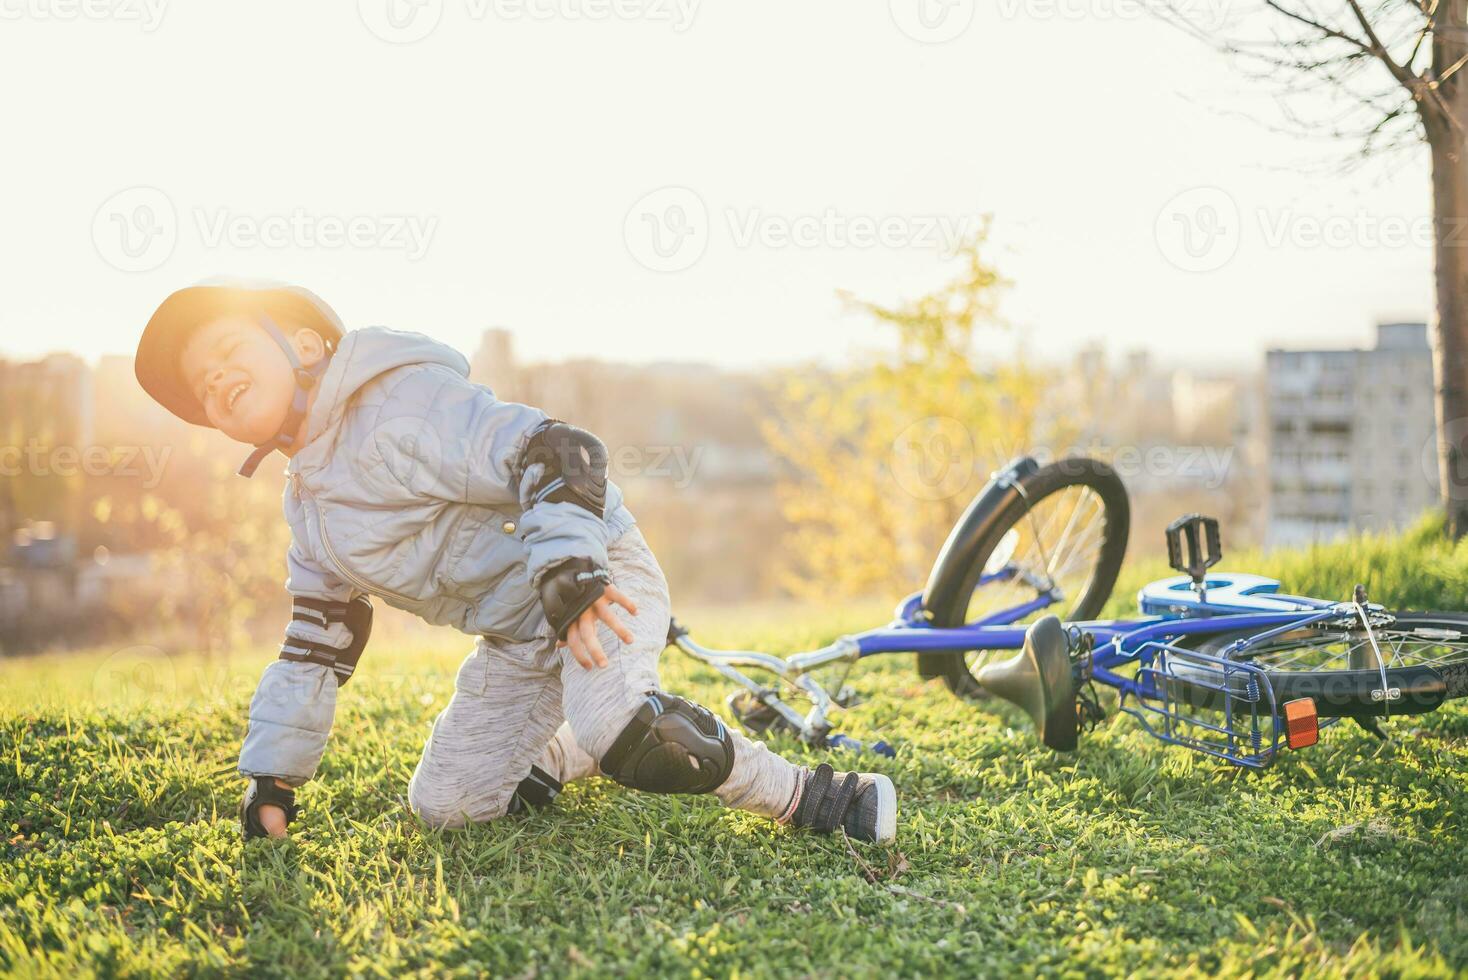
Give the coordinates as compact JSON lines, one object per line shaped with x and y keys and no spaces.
{"x":1423,"y":645}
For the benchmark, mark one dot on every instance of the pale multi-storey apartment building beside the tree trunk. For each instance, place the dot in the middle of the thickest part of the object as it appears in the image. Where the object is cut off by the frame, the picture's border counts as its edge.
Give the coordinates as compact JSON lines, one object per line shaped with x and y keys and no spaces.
{"x":1350,"y":432}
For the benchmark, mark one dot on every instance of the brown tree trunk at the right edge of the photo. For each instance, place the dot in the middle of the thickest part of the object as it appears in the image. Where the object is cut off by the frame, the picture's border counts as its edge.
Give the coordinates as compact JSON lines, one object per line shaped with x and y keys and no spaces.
{"x":1445,"y":124}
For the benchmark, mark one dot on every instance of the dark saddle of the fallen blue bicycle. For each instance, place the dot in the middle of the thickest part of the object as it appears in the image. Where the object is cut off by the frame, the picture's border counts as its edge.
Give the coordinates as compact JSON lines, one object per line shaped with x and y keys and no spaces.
{"x":1040,"y":680}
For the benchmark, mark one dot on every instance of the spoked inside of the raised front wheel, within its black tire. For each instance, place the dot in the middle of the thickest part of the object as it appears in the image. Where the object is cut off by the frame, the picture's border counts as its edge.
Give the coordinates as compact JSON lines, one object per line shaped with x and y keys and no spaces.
{"x":1059,"y":541}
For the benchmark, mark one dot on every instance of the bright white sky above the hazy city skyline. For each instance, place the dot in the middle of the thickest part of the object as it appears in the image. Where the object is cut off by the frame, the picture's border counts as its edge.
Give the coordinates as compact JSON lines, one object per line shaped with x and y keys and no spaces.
{"x":677,"y":180}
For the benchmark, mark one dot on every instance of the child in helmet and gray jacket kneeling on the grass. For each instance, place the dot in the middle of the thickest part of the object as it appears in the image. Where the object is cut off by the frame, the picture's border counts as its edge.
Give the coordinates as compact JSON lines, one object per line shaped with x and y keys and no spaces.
{"x":409,"y":483}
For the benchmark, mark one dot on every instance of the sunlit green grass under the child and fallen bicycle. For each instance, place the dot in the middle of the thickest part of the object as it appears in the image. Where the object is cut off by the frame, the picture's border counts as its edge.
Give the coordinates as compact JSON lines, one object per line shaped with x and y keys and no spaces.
{"x":123,"y":856}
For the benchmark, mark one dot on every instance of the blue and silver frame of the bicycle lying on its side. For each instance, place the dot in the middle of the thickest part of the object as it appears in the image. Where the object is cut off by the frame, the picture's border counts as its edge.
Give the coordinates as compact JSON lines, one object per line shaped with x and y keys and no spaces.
{"x":1146,"y":661}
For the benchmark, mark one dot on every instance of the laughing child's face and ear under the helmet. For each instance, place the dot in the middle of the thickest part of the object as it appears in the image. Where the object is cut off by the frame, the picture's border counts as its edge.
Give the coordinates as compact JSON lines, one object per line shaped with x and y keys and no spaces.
{"x":243,"y":378}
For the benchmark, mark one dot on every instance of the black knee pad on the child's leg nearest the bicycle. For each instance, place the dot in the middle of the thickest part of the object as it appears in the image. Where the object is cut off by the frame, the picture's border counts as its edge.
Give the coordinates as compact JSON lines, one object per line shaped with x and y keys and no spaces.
{"x":672,"y":746}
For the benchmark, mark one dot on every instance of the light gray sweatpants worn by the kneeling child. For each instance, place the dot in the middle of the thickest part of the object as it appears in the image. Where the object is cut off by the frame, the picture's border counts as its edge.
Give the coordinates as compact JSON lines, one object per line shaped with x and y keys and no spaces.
{"x":532,"y":703}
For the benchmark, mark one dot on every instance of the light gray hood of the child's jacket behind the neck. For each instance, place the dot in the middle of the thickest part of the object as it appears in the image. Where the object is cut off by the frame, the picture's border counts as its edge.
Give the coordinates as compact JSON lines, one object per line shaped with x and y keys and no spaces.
{"x":365,"y":356}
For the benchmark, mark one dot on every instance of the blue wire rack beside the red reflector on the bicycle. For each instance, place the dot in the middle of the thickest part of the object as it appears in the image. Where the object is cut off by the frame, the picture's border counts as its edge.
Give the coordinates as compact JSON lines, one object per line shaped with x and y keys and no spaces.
{"x":1221,"y":708}
